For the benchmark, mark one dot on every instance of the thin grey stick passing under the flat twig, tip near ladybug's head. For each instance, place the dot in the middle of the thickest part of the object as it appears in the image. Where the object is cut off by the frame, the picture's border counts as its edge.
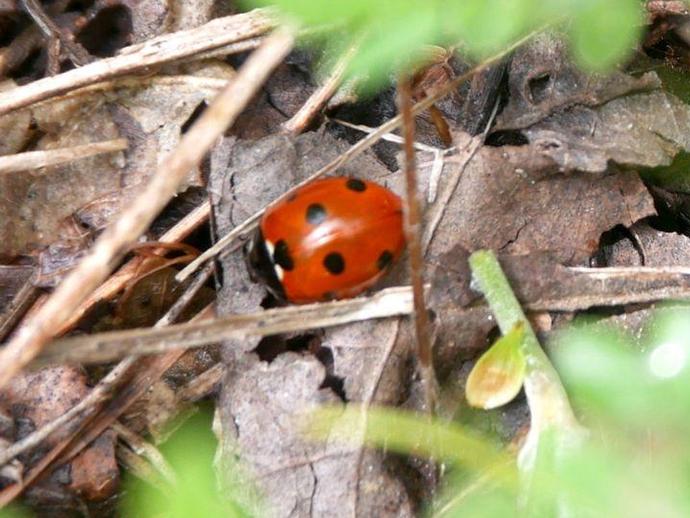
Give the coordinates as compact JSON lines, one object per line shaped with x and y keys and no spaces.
{"x":104,"y":389}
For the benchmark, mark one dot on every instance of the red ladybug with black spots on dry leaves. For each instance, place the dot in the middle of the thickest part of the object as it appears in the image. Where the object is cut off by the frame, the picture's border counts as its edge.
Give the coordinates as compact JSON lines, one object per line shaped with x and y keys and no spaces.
{"x":331,"y":239}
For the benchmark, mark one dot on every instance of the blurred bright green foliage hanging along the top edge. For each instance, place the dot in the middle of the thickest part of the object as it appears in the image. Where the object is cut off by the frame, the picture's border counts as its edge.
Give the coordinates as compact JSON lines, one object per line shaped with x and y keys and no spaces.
{"x":391,"y":33}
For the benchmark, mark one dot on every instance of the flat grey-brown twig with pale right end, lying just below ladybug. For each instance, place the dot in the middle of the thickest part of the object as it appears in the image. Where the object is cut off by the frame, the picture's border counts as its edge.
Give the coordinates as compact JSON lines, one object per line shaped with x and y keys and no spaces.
{"x":117,"y":344}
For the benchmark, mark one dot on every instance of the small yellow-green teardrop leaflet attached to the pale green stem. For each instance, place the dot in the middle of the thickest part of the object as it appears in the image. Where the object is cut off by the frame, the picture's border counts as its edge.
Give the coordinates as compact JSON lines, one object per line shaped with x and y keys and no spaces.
{"x":498,"y":375}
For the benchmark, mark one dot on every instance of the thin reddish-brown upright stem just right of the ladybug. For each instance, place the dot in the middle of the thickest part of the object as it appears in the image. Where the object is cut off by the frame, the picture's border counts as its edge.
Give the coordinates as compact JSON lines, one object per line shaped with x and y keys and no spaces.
{"x":413,"y":233}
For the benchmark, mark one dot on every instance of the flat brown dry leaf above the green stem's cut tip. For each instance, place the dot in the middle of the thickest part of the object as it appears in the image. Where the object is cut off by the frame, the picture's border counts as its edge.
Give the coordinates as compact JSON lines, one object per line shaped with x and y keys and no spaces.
{"x":511,"y":200}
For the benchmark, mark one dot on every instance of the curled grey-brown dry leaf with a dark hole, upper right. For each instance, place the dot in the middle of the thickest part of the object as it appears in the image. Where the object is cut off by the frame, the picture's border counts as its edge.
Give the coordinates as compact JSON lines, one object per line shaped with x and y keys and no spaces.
{"x":582,"y":122}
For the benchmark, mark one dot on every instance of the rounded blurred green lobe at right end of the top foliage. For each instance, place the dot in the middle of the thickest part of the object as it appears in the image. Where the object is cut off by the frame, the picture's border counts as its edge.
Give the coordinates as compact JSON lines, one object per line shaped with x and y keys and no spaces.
{"x":604,"y":32}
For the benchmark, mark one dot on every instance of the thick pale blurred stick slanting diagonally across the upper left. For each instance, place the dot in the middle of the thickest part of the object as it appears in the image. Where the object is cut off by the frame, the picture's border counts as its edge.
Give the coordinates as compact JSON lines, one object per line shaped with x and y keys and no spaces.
{"x":117,"y":238}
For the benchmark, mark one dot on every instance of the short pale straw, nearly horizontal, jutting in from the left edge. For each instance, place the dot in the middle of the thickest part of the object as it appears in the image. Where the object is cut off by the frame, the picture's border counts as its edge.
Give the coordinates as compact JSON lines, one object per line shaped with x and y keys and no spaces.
{"x":48,"y":157}
